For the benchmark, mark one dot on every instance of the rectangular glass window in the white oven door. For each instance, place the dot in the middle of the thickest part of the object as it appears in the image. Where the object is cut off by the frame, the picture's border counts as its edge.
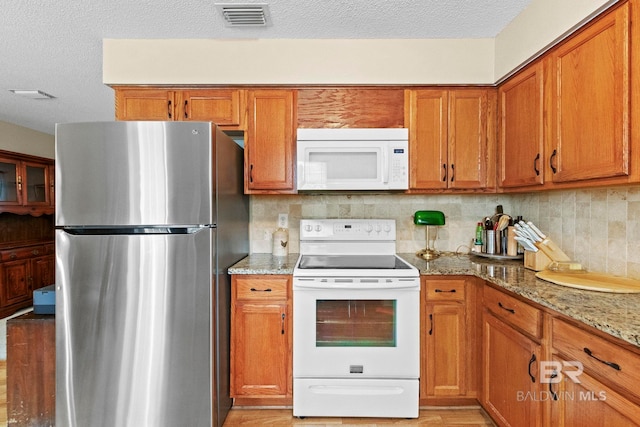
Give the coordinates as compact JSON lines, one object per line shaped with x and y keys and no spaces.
{"x":356,"y":323}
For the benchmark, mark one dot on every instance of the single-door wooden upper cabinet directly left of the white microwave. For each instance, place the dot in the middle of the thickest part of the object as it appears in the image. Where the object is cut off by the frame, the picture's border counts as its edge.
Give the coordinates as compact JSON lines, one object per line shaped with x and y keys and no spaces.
{"x":269,"y":143}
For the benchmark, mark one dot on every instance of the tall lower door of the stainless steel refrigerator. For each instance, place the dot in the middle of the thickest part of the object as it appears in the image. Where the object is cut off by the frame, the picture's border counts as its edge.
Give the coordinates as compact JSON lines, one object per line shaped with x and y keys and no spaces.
{"x":133,"y":322}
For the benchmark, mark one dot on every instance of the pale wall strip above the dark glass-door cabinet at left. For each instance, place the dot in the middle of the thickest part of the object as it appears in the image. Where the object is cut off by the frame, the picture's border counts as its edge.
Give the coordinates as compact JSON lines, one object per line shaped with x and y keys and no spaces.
{"x":27,"y":141}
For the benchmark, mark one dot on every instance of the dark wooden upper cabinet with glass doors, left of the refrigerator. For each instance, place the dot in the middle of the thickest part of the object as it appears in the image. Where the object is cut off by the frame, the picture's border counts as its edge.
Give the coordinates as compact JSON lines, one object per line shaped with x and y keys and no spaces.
{"x":26,"y":184}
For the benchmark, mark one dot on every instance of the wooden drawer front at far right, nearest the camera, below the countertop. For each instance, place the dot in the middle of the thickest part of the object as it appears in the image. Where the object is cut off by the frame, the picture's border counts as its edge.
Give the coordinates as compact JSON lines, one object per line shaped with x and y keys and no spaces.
{"x":608,"y":362}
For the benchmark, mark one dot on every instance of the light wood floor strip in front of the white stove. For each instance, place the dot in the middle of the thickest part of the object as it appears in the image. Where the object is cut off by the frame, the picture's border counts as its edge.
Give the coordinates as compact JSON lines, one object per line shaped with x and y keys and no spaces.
{"x":459,"y":417}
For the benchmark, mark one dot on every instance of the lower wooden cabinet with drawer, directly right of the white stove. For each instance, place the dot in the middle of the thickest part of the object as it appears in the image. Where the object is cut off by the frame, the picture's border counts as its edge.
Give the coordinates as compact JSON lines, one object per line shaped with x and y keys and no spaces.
{"x":449,"y":347}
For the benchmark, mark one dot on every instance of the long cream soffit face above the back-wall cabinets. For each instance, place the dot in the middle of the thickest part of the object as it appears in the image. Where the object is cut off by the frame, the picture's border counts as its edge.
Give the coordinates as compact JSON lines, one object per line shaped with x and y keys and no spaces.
{"x":286,"y":61}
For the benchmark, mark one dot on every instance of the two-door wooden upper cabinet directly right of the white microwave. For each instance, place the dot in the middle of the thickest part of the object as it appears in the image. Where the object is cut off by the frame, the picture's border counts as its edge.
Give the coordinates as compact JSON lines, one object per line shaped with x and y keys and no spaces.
{"x":451,"y":138}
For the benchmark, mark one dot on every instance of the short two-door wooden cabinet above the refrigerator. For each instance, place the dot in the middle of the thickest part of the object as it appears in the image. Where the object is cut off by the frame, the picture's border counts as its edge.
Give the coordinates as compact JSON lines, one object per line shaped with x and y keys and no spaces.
{"x":224,"y":107}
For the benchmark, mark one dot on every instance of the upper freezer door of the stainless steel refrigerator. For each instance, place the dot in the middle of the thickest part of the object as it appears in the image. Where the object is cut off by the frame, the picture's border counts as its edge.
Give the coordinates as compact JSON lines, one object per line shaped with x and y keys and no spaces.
{"x":133,"y":173}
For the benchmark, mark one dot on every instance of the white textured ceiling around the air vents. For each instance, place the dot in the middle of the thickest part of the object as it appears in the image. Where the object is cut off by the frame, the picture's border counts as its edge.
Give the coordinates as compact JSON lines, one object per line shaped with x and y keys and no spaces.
{"x":56,"y":45}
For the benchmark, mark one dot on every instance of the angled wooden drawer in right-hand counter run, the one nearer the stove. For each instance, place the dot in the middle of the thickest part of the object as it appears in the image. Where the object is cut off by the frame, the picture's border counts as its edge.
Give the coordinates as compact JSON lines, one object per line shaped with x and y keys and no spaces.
{"x":512,"y":310}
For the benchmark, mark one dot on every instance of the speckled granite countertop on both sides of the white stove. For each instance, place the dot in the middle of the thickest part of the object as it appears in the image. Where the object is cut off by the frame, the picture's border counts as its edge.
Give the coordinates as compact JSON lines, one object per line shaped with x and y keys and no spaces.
{"x":615,"y":314}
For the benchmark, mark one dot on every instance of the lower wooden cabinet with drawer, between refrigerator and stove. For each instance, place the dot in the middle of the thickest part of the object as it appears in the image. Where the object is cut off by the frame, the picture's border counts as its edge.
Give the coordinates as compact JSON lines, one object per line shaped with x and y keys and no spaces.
{"x":261,"y":336}
